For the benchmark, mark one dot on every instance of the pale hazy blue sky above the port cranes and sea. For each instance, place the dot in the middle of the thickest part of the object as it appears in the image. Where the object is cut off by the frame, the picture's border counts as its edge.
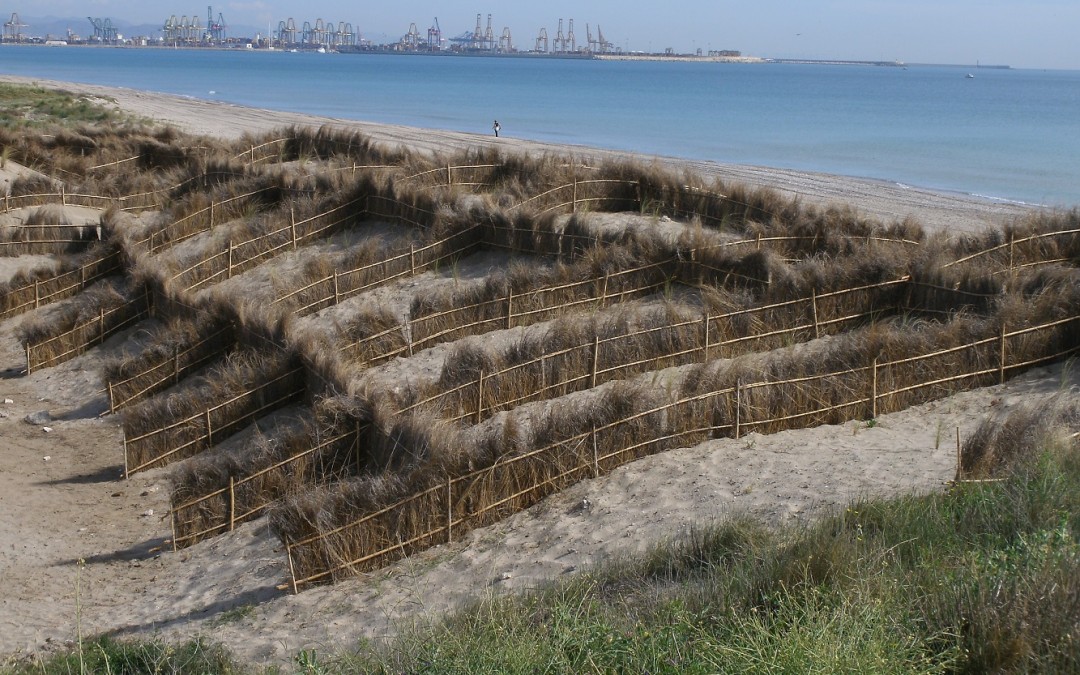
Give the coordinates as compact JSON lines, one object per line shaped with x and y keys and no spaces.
{"x":1036,"y":34}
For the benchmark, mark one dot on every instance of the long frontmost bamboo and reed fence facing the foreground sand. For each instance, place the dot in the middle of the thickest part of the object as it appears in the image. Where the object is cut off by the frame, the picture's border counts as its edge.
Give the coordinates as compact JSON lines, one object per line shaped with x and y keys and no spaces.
{"x":461,"y":504}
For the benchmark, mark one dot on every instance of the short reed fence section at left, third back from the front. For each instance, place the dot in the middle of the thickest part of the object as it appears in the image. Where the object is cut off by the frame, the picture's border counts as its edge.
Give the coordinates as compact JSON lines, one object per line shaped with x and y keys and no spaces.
{"x":207,"y":410}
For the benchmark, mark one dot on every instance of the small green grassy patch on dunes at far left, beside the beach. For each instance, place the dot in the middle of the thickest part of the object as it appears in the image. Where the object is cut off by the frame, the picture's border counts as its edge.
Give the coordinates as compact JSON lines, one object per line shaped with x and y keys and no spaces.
{"x":23,"y":105}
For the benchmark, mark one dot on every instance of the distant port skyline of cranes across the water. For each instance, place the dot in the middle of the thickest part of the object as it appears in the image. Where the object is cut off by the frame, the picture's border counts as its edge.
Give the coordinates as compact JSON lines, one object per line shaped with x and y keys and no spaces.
{"x":329,"y":36}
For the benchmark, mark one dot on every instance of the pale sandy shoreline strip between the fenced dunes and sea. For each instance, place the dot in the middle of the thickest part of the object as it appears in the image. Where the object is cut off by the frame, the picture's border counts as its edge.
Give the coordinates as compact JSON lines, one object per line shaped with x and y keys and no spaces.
{"x":886,"y":200}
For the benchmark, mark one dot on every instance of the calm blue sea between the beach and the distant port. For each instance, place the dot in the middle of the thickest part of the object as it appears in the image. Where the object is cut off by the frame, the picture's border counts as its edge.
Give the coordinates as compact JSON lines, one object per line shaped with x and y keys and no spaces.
{"x":1011,"y":136}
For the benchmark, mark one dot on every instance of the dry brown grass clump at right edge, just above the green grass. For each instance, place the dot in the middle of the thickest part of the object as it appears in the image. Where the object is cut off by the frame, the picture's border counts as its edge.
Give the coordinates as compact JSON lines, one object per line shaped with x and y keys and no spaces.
{"x":1003,"y":441}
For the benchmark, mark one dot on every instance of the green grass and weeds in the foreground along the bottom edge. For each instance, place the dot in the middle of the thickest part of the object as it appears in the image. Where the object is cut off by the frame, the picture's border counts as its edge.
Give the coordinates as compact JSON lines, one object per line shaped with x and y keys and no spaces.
{"x":985,"y":578}
